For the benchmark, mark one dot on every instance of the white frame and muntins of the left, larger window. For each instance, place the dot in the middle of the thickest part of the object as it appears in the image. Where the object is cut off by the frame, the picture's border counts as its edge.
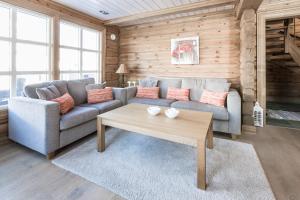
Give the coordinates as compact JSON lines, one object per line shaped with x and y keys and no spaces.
{"x":13,"y":40}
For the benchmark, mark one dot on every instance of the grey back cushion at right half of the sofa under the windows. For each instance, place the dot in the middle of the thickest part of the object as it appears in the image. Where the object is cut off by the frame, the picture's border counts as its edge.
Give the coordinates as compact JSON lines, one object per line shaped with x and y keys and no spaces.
{"x":77,"y":89}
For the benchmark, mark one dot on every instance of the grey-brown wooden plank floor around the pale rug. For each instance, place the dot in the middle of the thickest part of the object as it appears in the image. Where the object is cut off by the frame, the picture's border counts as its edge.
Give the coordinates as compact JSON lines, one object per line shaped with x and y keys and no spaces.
{"x":25,"y":174}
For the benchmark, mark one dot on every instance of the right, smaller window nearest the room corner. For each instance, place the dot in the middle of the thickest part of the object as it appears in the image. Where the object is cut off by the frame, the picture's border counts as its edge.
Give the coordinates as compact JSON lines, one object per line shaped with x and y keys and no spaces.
{"x":80,"y":52}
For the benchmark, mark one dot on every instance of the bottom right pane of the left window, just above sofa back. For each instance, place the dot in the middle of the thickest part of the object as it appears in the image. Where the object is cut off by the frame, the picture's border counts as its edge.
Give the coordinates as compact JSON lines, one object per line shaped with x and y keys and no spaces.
{"x":23,"y":80}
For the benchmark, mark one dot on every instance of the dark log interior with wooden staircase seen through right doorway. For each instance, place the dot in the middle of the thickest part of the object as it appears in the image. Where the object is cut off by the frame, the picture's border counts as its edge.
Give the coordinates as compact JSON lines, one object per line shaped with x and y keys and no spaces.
{"x":283,"y":60}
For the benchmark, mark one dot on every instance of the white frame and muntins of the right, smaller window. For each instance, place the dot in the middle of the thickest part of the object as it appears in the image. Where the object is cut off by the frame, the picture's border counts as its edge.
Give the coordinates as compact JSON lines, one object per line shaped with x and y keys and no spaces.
{"x":81,"y":50}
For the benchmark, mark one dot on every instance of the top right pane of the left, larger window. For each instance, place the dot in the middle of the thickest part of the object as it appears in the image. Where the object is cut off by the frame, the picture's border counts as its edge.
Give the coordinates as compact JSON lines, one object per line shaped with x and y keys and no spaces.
{"x":32,"y":27}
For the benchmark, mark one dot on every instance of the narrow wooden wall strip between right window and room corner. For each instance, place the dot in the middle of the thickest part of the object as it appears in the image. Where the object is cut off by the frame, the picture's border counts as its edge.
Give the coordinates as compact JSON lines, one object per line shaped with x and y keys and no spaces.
{"x":112,"y":56}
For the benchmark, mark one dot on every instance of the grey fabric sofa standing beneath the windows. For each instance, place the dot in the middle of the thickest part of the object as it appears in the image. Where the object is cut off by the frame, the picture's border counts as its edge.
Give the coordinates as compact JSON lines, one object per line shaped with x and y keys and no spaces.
{"x":38,"y":124}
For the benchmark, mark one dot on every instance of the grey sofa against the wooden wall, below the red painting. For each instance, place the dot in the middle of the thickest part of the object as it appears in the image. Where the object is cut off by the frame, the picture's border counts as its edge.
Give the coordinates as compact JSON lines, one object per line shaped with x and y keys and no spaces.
{"x":225,"y":119}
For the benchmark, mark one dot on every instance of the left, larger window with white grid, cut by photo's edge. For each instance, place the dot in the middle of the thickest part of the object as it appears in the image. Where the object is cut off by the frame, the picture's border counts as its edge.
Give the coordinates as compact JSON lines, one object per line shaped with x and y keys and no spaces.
{"x":25,"y":49}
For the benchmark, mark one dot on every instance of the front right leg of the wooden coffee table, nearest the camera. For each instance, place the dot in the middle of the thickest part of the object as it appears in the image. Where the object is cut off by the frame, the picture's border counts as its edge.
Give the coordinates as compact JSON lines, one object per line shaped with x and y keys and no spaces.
{"x":201,"y":165}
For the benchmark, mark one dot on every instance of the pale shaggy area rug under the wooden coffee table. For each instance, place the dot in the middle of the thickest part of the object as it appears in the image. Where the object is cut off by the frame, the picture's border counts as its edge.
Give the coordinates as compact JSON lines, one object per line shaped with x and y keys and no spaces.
{"x":139,"y":167}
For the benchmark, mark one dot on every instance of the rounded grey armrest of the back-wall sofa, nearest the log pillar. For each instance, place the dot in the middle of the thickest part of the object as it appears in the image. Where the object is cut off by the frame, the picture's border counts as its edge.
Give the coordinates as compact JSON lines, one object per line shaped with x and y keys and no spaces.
{"x":235,"y":111}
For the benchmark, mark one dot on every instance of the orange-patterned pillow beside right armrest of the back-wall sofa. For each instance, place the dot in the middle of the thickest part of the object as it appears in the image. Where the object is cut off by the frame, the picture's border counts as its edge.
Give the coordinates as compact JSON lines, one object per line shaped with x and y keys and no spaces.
{"x":214,"y":98}
